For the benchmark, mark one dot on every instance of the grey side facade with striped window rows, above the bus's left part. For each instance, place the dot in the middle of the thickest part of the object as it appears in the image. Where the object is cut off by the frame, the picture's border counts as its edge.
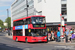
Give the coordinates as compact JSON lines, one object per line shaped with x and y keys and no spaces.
{"x":19,"y":9}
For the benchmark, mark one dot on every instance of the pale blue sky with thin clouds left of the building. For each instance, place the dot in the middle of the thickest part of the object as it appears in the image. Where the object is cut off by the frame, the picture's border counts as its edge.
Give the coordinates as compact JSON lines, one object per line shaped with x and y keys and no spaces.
{"x":4,"y":5}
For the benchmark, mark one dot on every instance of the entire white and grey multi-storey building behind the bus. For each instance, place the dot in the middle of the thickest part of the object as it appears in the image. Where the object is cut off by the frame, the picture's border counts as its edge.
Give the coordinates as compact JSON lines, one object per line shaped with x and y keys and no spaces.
{"x":49,"y":8}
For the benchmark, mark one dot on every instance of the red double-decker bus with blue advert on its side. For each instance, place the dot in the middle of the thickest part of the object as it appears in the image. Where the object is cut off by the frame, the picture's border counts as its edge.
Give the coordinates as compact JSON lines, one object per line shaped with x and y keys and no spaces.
{"x":30,"y":29}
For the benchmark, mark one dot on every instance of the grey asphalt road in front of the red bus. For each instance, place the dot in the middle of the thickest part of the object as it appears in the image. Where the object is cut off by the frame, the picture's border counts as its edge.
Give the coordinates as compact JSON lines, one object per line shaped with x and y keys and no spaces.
{"x":8,"y":44}
